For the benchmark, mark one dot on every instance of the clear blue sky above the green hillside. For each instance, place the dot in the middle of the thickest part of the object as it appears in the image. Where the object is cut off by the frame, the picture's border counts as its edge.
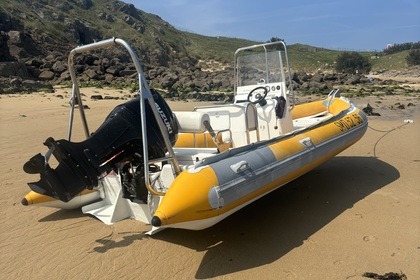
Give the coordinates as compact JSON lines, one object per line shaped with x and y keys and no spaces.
{"x":348,"y":25}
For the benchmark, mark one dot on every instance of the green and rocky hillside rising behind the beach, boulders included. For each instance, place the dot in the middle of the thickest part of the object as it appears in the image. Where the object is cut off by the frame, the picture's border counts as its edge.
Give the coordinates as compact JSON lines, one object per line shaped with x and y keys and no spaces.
{"x":34,"y":30}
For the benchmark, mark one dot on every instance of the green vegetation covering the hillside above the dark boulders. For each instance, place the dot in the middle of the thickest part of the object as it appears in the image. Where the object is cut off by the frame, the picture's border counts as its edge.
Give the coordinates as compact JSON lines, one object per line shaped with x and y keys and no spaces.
{"x":48,"y":22}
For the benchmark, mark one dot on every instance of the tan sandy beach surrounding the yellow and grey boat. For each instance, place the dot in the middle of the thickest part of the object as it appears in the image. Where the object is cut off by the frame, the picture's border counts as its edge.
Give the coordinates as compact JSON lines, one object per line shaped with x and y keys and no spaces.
{"x":359,"y":212}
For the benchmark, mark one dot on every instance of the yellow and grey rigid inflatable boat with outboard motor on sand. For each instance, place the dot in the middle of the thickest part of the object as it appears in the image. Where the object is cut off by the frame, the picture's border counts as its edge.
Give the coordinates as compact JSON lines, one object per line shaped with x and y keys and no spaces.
{"x":192,"y":169}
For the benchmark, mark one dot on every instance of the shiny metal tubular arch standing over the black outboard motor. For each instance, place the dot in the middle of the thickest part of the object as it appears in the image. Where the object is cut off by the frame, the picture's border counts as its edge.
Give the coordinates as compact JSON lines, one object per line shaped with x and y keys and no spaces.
{"x":144,"y":95}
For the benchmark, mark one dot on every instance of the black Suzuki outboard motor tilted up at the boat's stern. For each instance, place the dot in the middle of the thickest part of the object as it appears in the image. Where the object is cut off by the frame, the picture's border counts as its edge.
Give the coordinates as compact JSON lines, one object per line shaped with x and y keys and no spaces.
{"x":116,"y":142}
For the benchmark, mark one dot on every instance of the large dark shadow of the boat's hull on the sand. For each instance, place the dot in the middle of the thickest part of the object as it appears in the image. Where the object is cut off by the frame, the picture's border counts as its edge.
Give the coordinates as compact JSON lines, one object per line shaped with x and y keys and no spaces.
{"x":269,"y":228}
